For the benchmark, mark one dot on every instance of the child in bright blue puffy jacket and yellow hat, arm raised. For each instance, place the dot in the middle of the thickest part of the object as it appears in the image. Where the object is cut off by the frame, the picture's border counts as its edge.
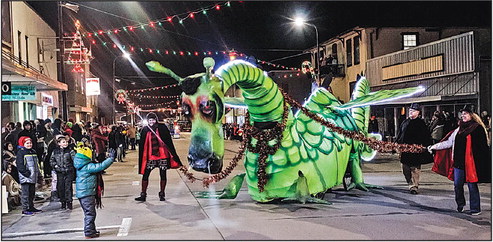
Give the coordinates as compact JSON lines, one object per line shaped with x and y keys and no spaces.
{"x":88,"y":186}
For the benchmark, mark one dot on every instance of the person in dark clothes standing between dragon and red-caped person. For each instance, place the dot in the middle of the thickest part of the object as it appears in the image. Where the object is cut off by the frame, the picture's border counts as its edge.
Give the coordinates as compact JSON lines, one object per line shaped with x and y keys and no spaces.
{"x":414,"y":131}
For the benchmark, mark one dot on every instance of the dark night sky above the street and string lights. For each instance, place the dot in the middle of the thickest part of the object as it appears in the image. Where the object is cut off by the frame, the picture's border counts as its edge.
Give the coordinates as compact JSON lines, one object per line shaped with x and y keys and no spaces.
{"x":255,"y":28}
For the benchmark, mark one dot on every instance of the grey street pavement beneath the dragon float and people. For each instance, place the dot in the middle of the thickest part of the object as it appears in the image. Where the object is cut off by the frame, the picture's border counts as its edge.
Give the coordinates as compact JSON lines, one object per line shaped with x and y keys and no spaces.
{"x":390,"y":213}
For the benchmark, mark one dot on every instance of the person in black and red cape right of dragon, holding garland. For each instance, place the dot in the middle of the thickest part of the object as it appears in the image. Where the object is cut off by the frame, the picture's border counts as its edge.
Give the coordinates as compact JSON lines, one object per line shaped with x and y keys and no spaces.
{"x":463,"y":156}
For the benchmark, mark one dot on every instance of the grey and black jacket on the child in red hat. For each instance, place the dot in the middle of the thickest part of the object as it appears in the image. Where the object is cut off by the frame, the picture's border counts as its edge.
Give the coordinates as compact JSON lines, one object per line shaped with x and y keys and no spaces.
{"x":27,"y":165}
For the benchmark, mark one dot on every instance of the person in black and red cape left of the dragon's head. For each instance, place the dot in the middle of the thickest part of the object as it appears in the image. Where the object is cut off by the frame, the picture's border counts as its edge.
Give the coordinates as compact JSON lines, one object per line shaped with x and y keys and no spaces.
{"x":156,"y":150}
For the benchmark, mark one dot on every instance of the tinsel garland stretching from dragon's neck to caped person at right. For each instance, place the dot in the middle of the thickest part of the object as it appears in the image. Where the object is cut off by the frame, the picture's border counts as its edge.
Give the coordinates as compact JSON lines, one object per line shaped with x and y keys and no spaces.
{"x":378,"y":145}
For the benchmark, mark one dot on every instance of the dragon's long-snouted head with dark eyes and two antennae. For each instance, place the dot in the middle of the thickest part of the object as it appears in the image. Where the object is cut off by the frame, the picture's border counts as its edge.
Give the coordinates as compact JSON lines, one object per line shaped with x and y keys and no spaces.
{"x":203,"y":105}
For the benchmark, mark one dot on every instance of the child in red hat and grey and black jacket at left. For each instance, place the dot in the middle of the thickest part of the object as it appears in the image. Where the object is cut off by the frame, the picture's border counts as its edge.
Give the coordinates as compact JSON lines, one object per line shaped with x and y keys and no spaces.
{"x":27,"y":165}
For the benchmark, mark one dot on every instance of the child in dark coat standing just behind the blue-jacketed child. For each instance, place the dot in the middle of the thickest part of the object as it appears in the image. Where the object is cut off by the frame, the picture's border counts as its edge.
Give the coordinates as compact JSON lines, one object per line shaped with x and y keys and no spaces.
{"x":62,"y":161}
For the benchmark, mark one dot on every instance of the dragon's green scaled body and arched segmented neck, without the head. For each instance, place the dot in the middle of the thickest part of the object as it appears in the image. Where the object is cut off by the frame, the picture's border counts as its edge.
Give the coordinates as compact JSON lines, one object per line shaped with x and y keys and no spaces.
{"x":306,"y":145}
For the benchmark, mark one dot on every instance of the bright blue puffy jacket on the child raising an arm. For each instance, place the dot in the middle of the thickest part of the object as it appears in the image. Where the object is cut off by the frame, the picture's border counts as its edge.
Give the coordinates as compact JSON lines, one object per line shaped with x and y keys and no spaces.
{"x":85,"y":182}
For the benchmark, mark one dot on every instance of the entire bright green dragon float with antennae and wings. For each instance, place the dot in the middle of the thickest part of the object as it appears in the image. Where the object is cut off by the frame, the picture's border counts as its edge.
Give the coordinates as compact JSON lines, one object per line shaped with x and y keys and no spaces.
{"x":287,"y":156}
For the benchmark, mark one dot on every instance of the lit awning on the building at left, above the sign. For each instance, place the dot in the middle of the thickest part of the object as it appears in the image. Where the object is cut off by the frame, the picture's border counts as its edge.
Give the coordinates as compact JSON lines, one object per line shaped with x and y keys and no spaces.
{"x":19,"y":73}
